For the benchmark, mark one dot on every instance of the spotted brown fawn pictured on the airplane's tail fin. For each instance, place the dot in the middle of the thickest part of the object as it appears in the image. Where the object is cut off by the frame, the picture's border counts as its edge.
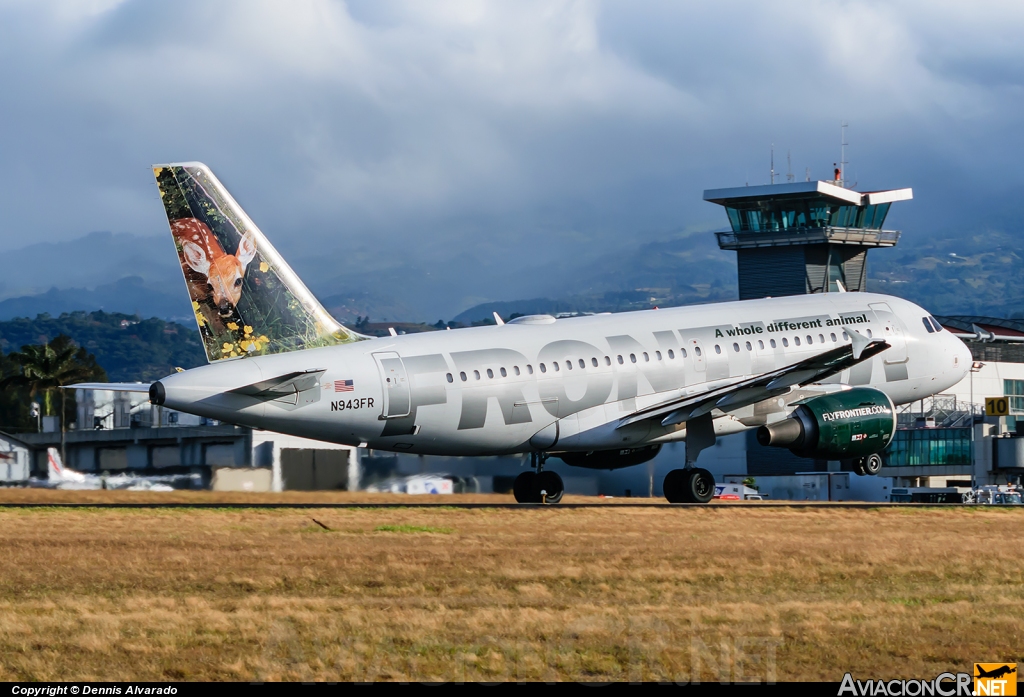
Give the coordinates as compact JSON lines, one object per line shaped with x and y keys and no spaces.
{"x":223,"y":273}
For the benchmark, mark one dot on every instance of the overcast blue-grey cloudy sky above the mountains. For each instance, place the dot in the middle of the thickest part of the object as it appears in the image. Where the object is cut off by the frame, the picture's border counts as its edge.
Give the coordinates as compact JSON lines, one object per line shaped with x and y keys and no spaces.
{"x":491,"y":129}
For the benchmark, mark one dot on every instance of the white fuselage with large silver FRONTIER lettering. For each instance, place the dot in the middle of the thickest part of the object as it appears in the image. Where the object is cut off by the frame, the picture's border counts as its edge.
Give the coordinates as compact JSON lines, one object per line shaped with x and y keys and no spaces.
{"x":541,"y":384}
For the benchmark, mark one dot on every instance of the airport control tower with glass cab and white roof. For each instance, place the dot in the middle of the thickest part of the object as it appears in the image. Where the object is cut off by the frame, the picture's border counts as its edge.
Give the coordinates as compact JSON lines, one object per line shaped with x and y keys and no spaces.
{"x":807,"y":237}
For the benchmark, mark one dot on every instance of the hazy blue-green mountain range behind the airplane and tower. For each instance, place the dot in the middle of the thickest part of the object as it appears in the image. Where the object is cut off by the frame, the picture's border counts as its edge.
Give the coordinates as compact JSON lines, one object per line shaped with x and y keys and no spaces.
{"x":960,"y":273}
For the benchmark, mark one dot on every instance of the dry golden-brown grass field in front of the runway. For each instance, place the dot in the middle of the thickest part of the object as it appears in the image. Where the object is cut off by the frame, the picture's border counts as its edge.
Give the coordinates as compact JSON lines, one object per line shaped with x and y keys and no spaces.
{"x":610,"y":593}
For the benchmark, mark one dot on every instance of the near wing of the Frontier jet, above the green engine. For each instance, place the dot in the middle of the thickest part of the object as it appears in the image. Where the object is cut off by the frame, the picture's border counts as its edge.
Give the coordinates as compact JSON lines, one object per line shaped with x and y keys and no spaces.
{"x":752,"y":390}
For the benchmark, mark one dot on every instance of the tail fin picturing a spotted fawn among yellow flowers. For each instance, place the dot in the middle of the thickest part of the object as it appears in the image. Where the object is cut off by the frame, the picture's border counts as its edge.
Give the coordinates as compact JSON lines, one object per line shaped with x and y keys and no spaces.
{"x":246,"y":298}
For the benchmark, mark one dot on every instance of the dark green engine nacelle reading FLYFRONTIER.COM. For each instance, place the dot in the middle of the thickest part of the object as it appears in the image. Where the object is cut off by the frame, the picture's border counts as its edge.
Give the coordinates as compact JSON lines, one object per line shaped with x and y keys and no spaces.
{"x":839,"y":426}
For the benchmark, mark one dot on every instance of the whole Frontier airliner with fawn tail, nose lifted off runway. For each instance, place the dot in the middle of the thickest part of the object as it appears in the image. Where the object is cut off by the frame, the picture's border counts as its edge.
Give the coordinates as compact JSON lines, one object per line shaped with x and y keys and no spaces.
{"x":820,"y":375}
